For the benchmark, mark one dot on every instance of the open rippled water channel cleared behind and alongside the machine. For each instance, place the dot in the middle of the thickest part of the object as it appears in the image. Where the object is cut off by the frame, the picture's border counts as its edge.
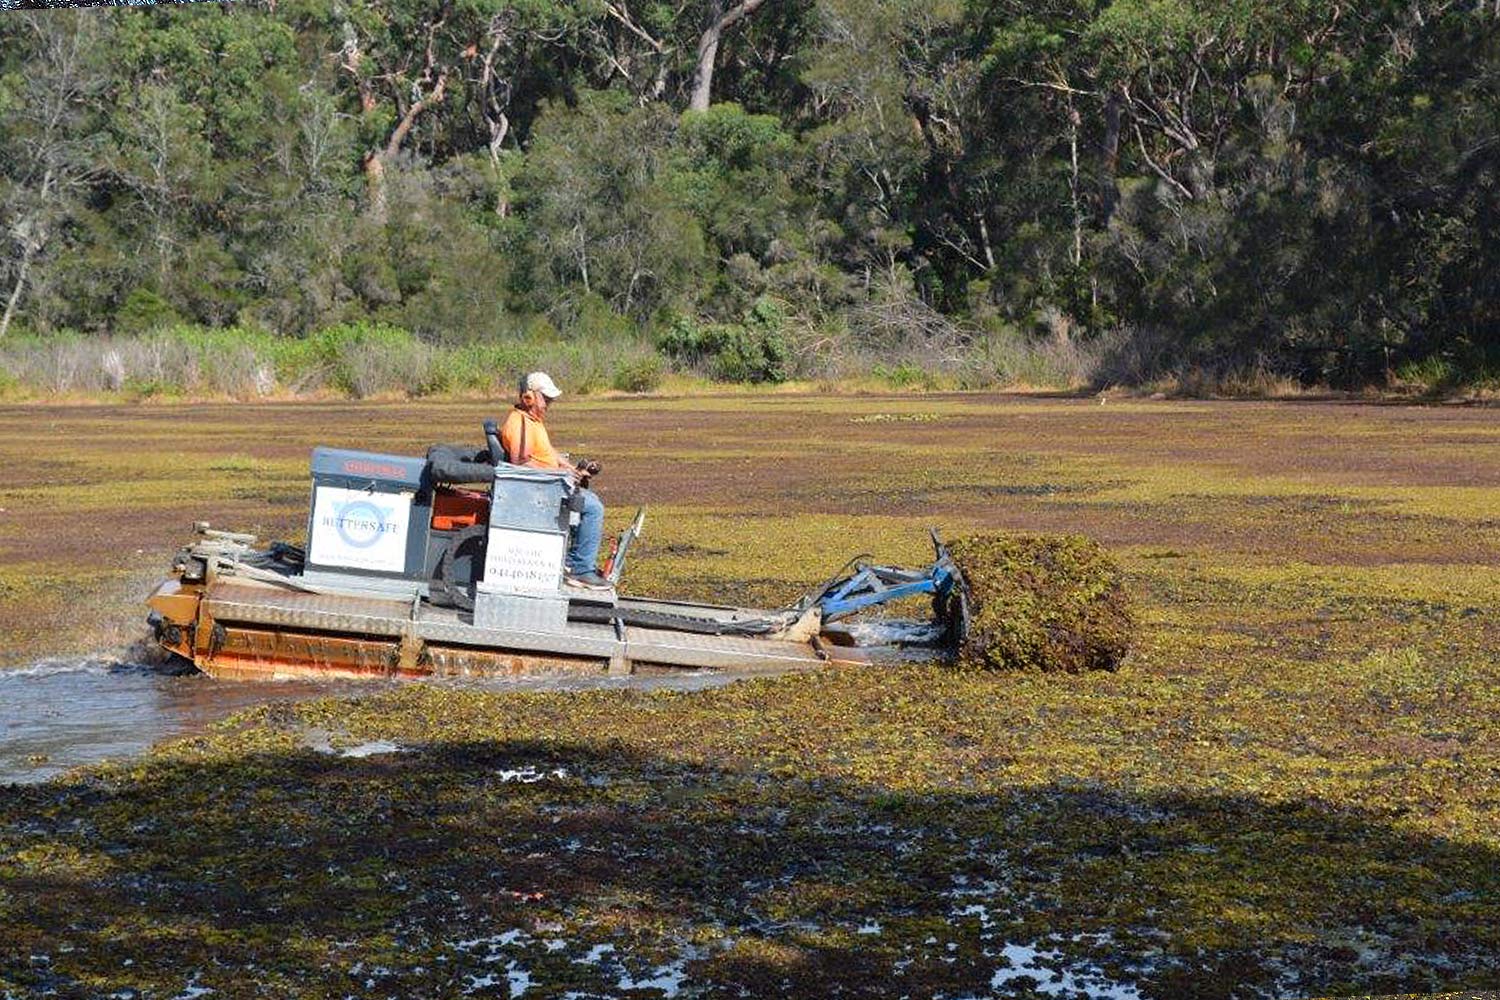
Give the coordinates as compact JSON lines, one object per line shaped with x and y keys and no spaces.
{"x":59,"y":714}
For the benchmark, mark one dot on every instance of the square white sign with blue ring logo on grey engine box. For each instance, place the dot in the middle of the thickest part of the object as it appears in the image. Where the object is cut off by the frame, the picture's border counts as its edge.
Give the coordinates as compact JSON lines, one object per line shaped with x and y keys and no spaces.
{"x":359,"y":530}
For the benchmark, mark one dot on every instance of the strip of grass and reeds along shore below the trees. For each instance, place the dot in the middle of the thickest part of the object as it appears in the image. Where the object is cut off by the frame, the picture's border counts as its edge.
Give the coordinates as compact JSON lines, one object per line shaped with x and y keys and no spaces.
{"x":383,"y":364}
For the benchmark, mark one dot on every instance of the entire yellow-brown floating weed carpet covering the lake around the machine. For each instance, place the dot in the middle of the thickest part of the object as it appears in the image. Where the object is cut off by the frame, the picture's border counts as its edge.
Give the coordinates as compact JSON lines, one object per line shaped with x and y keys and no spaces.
{"x":1288,"y":789}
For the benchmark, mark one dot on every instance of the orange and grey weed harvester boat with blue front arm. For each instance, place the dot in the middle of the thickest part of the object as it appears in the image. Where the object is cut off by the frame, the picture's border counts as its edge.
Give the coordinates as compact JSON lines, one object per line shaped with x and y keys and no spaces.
{"x":454,"y":564}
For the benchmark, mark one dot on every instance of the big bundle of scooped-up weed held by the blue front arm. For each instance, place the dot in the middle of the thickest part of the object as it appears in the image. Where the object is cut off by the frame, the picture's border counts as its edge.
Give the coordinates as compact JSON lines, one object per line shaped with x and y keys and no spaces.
{"x":1045,"y":603}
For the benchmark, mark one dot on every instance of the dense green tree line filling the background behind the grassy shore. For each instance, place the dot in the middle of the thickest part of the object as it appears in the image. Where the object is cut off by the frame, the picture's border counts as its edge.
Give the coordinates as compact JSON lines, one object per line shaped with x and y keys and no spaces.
{"x":1309,"y":187}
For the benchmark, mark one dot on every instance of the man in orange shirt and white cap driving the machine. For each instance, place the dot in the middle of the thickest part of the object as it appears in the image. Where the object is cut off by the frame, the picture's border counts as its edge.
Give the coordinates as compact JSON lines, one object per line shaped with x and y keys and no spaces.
{"x":524,"y":437}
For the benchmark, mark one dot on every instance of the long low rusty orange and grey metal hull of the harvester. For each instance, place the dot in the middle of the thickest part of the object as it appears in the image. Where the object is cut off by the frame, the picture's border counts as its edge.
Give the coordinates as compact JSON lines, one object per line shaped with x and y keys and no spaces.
{"x":236,"y":627}
